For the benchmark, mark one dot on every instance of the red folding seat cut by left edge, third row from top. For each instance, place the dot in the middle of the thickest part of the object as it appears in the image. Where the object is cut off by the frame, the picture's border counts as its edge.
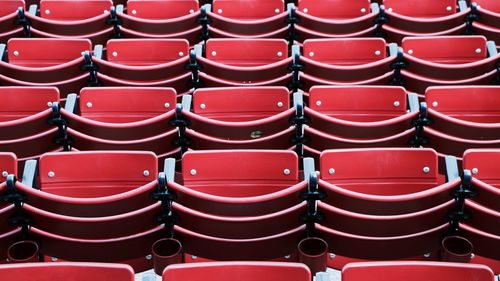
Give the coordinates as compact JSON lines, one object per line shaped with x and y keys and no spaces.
{"x":23,"y":119}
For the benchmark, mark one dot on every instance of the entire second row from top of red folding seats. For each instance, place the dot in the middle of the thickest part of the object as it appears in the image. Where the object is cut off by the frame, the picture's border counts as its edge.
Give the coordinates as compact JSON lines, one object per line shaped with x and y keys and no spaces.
{"x":71,"y":64}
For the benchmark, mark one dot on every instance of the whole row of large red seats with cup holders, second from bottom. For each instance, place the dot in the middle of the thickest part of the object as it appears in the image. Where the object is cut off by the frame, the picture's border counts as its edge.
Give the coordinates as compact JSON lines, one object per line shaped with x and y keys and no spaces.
{"x":378,"y":204}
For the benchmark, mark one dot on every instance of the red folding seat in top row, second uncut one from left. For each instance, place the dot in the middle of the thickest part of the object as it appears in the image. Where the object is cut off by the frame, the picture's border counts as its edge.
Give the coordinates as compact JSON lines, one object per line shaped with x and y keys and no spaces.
{"x":161,"y":19}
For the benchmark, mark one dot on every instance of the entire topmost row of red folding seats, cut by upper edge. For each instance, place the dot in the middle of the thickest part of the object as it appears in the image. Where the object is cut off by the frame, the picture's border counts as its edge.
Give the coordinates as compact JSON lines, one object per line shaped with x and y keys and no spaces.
{"x":236,"y":18}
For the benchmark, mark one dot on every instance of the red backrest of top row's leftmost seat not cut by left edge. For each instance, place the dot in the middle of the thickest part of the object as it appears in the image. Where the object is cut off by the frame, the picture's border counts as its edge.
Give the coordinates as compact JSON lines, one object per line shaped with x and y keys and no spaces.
{"x":70,"y":10}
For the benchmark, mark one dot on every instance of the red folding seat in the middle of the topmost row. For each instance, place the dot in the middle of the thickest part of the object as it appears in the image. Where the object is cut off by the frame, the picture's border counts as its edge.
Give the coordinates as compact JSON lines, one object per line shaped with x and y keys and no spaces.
{"x":238,"y":18}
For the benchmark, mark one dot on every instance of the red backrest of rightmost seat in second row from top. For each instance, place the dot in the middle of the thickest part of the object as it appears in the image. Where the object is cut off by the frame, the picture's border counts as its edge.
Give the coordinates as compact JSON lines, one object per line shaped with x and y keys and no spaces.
{"x":446,"y":49}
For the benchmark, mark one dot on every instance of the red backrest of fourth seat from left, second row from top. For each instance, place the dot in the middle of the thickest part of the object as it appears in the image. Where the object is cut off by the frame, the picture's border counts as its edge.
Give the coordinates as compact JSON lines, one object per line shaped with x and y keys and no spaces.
{"x":347,"y":51}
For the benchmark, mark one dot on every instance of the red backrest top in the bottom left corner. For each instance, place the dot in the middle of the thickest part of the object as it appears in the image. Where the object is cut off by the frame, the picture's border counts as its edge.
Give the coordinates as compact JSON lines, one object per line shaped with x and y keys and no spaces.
{"x":59,"y":271}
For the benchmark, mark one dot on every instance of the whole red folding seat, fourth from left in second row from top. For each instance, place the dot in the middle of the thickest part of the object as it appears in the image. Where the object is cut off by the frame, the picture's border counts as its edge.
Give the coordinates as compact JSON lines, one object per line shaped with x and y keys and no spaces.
{"x":351,"y":60}
